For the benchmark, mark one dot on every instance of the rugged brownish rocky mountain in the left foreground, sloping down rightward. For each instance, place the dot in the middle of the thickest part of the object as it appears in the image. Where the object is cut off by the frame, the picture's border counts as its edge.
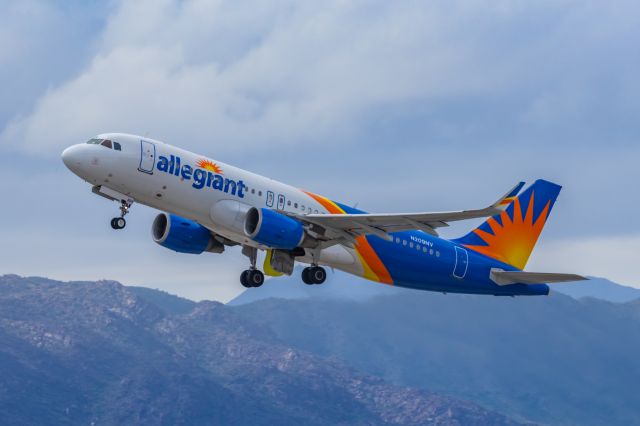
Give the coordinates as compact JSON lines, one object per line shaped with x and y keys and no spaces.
{"x":99,"y":353}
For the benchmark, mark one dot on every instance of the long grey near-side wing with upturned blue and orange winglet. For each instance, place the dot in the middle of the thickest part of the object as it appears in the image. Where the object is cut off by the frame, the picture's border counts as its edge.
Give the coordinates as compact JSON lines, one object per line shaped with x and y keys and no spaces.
{"x":353,"y":225}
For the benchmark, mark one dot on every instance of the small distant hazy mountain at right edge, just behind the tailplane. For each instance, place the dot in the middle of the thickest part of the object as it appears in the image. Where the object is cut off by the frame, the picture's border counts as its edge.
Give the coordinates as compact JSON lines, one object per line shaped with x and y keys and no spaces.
{"x":599,"y":288}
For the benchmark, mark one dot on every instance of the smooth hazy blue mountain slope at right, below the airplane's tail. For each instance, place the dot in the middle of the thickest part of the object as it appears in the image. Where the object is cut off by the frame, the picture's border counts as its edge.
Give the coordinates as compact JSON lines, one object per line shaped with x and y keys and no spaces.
{"x":554,"y":360}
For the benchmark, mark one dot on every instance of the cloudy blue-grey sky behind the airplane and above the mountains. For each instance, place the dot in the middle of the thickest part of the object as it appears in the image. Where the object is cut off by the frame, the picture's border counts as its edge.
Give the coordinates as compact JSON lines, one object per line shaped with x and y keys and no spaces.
{"x":390,"y":106}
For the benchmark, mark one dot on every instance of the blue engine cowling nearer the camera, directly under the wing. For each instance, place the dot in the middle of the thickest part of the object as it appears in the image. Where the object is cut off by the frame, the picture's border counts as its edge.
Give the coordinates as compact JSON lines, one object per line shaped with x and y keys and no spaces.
{"x":273,"y":229}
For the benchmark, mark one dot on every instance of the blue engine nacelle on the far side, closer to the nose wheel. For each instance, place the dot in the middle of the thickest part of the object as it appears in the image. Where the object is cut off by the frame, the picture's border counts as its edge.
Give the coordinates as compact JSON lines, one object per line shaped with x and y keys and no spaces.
{"x":183,"y":235}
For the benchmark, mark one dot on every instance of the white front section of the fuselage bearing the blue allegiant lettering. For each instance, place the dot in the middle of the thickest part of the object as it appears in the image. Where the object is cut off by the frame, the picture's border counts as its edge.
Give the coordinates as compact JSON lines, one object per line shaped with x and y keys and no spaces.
{"x":210,"y":192}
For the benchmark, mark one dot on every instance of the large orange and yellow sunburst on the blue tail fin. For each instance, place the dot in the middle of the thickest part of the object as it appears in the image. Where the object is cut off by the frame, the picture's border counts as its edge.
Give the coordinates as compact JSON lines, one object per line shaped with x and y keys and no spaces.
{"x":514,"y":239}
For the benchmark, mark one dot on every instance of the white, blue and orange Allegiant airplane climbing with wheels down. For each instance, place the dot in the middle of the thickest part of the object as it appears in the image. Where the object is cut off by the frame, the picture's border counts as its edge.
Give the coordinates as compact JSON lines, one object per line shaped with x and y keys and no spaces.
{"x":207,"y":205}
